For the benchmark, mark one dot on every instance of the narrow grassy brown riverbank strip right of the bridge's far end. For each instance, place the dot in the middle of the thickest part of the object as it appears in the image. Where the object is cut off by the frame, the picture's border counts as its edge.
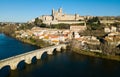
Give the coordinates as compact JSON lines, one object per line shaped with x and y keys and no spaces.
{"x":99,"y":55}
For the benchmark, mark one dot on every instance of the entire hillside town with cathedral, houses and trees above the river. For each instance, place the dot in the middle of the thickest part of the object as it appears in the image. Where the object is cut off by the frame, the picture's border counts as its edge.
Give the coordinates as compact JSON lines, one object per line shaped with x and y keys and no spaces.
{"x":87,"y":33}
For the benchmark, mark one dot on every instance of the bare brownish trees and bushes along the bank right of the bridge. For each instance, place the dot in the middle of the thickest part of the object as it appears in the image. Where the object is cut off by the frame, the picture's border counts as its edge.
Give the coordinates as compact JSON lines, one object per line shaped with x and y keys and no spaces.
{"x":76,"y":47}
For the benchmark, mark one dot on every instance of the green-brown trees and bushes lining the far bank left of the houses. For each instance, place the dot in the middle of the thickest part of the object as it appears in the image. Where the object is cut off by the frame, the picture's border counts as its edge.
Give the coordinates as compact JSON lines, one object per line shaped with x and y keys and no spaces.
{"x":10,"y":29}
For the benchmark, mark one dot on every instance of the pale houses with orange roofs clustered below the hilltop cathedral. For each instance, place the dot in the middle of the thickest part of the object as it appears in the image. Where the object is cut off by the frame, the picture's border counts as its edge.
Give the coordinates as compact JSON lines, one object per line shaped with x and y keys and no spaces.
{"x":57,"y":36}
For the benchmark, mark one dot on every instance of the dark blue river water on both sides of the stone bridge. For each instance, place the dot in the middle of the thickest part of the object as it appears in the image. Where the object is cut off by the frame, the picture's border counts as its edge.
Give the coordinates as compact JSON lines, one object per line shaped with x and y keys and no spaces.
{"x":64,"y":64}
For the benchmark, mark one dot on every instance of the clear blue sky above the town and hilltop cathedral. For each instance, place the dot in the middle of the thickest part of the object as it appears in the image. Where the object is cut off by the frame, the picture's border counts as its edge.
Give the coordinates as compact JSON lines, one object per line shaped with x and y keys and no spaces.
{"x":24,"y":10}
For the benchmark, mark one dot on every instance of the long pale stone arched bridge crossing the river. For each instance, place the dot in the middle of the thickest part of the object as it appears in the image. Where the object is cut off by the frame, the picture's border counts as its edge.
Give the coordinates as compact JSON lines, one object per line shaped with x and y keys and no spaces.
{"x":27,"y":57}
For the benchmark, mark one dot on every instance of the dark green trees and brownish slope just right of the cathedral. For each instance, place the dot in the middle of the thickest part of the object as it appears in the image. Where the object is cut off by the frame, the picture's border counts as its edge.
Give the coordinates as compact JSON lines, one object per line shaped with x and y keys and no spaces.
{"x":94,"y":28}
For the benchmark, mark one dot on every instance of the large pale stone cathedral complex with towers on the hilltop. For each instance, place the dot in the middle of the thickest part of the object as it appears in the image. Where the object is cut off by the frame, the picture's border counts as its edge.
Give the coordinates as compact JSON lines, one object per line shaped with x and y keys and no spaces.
{"x":58,"y":17}
